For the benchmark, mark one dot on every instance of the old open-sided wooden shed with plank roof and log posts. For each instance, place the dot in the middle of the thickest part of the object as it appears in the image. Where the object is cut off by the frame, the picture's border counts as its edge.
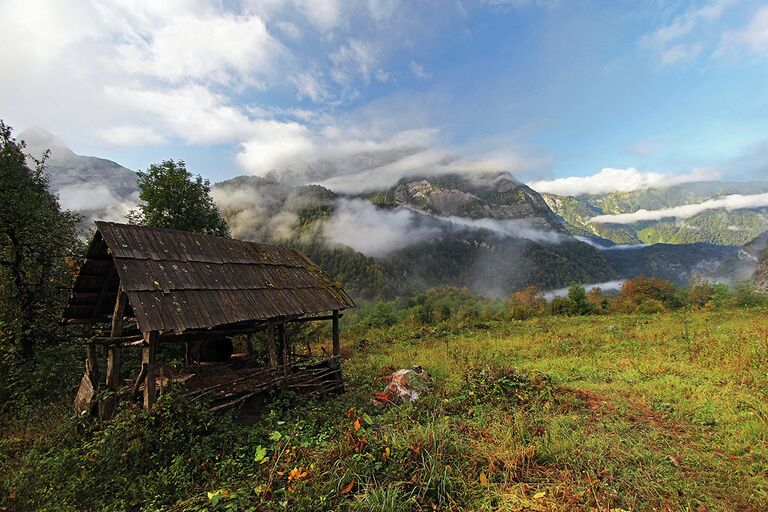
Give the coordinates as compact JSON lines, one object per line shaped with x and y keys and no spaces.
{"x":140,"y":286}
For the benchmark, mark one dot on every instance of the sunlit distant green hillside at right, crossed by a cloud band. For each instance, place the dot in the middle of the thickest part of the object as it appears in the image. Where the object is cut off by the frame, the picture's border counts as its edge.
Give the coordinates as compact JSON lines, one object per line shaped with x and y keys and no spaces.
{"x":722,"y":227}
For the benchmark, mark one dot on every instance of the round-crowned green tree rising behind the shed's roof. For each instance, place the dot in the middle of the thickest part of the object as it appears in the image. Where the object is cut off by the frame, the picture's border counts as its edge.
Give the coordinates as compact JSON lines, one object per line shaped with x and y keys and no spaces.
{"x":174,"y":198}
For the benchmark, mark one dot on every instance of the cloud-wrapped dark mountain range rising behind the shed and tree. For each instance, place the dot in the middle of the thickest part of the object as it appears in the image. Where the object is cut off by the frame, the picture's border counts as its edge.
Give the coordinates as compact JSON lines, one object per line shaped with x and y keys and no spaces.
{"x":491,"y":233}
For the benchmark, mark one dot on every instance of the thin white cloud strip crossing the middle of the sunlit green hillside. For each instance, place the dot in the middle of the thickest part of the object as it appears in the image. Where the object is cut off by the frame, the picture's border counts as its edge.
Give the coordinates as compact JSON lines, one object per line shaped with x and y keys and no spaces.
{"x":731,"y":202}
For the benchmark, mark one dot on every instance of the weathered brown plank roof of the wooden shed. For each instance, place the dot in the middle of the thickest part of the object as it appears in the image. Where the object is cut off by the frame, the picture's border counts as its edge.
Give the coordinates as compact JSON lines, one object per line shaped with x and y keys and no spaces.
{"x":179,"y":281}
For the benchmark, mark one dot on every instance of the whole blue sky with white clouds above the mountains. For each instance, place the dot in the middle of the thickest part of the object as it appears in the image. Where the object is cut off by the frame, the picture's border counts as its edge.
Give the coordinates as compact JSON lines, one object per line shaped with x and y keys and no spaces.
{"x":544,"y":89}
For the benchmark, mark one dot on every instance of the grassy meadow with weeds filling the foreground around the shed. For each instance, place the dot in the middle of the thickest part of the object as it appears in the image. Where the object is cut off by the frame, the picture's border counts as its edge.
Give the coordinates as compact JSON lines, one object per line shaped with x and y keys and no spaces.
{"x":642,"y":412}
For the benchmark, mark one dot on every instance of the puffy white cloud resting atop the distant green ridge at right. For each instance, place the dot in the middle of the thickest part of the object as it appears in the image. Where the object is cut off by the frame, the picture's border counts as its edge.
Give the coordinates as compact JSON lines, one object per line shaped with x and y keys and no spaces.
{"x":619,"y":180}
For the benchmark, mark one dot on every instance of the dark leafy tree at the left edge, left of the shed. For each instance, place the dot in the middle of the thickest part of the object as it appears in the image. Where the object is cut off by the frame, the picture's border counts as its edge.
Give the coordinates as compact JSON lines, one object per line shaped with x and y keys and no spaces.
{"x":38,"y":248}
